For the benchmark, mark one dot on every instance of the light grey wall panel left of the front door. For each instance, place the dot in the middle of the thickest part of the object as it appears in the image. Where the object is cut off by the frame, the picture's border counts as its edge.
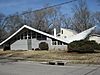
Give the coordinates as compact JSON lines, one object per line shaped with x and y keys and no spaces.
{"x":19,"y":45}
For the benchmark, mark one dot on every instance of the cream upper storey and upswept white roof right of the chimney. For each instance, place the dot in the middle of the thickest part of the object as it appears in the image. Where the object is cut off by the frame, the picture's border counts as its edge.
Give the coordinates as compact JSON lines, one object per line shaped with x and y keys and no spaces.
{"x":70,"y":35}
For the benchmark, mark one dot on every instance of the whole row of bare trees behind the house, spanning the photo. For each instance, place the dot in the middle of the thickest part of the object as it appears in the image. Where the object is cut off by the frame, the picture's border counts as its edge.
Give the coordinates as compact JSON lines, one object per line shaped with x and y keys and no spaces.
{"x":45,"y":20}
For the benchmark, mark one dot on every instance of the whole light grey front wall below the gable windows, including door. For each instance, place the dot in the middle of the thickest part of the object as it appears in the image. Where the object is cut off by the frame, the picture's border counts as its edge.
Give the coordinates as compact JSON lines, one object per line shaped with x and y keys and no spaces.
{"x":30,"y":44}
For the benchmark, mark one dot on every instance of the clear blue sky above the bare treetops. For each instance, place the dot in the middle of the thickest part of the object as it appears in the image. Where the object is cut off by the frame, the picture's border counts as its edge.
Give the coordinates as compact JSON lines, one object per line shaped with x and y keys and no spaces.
{"x":9,"y":7}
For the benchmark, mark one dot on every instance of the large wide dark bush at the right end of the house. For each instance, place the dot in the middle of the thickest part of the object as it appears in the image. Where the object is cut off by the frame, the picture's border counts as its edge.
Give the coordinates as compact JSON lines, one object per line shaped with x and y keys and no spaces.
{"x":83,"y":46}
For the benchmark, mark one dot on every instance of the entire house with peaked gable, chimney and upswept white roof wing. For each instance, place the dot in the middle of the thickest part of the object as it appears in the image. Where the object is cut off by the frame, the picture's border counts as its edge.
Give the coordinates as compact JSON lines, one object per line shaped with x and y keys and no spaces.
{"x":28,"y":38}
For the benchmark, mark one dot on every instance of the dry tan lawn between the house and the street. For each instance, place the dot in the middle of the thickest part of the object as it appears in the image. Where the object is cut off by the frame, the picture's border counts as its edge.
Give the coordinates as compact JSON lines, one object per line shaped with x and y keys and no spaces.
{"x":71,"y":58}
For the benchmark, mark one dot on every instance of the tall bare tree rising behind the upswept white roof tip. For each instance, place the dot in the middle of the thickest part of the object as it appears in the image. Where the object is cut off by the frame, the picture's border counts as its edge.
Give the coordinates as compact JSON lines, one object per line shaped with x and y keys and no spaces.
{"x":82,"y":18}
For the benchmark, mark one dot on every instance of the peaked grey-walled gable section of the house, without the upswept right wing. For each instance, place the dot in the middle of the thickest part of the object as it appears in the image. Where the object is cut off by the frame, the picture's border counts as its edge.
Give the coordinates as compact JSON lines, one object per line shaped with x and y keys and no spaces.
{"x":28,"y":38}
